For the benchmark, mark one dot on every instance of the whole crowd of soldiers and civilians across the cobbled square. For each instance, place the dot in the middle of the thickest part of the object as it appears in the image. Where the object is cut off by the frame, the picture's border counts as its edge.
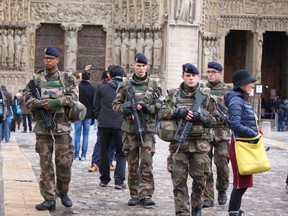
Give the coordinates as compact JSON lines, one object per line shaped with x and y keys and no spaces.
{"x":129,"y":112}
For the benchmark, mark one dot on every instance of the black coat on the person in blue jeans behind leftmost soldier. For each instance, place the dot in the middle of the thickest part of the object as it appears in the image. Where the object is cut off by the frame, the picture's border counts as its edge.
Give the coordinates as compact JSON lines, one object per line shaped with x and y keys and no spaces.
{"x":86,"y":95}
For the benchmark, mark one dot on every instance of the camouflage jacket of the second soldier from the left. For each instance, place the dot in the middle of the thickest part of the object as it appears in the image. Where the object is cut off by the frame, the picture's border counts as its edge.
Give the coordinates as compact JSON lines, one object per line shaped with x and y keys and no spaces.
{"x":146,"y":92}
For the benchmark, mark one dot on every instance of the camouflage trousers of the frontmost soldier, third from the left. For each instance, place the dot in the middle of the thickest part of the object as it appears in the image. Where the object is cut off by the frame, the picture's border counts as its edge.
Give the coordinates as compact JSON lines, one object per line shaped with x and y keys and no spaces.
{"x":179,"y":165}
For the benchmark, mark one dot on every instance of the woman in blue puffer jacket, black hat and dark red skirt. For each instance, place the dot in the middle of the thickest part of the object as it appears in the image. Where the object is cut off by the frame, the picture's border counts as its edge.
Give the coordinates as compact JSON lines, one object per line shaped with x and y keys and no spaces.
{"x":244,"y":125}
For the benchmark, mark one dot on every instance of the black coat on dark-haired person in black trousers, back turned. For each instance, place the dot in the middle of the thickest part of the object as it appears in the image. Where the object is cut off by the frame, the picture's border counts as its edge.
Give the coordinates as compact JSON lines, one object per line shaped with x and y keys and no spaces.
{"x":106,"y":116}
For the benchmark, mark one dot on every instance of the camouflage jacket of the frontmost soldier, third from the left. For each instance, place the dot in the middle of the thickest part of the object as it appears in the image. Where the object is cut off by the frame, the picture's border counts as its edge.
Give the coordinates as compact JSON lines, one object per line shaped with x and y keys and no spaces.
{"x":201,"y":133}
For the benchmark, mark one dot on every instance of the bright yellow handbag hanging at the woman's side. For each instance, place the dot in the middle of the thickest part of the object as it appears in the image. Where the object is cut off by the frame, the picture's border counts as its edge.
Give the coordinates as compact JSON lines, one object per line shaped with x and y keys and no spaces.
{"x":251,"y":158}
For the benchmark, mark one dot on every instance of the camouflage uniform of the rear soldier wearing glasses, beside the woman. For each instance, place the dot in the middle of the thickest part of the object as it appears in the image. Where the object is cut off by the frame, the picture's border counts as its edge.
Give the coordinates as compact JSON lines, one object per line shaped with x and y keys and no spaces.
{"x":220,"y":144}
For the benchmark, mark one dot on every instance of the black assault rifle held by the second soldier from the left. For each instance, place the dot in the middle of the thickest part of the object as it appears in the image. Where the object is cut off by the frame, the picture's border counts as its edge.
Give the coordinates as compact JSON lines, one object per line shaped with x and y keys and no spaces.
{"x":139,"y":119}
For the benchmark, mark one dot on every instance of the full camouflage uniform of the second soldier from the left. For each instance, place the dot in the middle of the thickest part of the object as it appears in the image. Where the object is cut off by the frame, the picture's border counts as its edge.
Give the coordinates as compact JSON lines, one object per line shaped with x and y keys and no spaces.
{"x":139,"y":158}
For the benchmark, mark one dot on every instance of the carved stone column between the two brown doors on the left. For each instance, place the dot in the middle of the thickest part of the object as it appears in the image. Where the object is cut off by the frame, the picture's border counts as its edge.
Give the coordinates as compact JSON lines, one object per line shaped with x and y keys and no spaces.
{"x":71,"y":46}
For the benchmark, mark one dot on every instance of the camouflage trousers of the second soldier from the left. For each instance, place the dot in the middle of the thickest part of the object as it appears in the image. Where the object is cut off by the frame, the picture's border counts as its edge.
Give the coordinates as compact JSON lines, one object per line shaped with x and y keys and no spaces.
{"x":140,"y":159}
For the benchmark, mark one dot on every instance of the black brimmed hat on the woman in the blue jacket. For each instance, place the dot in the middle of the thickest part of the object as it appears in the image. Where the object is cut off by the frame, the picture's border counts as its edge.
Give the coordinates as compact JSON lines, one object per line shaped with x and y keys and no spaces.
{"x":242,"y":77}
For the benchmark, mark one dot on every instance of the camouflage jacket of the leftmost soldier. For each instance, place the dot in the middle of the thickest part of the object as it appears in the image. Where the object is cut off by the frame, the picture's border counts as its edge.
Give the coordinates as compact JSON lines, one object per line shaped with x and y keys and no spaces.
{"x":57,"y":85}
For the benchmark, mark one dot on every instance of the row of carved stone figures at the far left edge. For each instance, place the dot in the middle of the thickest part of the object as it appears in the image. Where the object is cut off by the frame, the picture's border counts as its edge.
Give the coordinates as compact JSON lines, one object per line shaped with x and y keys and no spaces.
{"x":13,"y":49}
